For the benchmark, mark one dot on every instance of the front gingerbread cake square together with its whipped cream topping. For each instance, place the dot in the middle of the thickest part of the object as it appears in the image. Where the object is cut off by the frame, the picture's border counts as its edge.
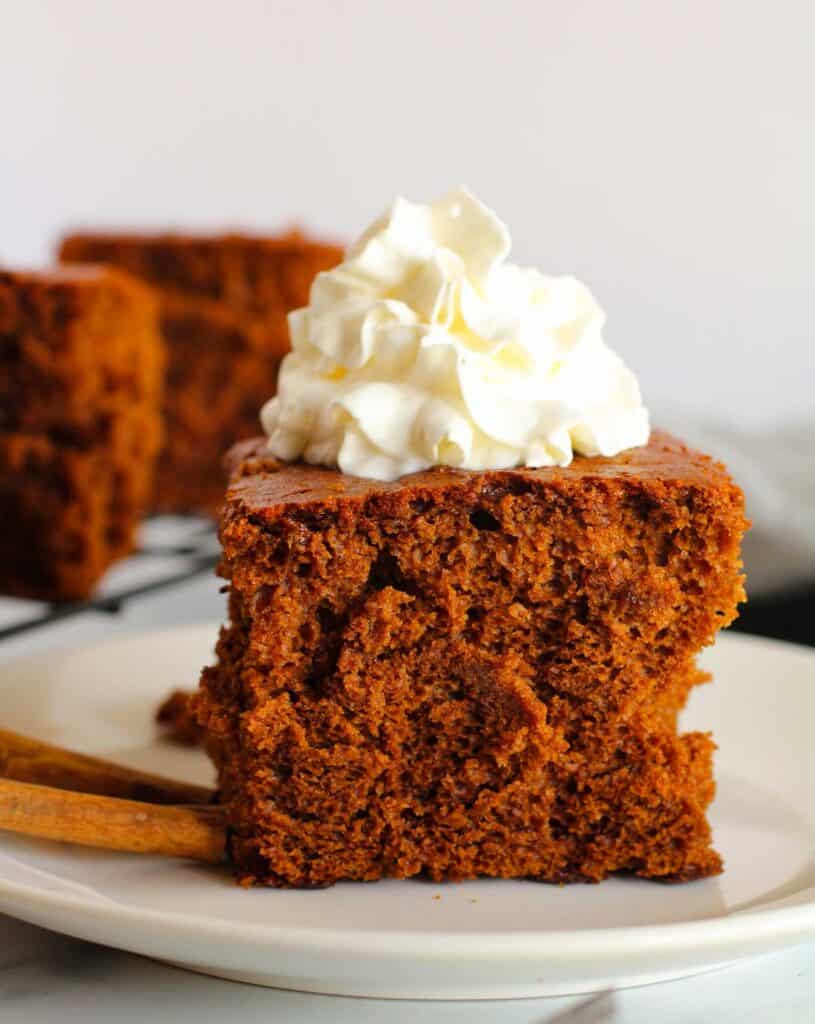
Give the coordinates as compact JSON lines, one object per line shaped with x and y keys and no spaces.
{"x":467,"y":585}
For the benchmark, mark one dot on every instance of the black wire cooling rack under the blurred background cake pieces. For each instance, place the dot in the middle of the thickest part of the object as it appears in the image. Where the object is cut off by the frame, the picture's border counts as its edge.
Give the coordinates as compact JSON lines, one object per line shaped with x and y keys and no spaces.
{"x":193,"y":541}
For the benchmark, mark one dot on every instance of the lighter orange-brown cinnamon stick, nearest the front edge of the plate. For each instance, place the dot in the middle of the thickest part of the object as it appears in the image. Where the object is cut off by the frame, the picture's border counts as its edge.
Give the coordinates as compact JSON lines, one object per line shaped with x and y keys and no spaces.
{"x":111,"y":824}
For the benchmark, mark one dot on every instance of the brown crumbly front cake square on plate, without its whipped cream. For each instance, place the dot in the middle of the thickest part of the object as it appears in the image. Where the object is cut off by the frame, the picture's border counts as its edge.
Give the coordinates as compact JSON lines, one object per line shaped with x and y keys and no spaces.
{"x":464,"y":674}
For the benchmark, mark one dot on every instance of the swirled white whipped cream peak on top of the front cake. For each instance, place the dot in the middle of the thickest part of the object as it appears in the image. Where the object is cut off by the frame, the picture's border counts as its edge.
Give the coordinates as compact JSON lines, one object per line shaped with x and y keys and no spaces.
{"x":425,"y":348}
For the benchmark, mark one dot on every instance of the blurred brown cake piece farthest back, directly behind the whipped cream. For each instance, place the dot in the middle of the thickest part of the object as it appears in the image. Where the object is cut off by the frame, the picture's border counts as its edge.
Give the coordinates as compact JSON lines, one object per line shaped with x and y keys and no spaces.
{"x":224,"y":305}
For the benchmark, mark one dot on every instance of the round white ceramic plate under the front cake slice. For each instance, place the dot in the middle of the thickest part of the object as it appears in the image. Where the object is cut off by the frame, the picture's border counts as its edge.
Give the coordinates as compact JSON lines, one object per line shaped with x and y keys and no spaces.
{"x":418,"y":940}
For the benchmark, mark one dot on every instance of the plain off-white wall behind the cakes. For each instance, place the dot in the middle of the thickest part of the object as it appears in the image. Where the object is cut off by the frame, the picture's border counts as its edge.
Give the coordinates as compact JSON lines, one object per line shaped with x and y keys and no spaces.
{"x":662,"y":150}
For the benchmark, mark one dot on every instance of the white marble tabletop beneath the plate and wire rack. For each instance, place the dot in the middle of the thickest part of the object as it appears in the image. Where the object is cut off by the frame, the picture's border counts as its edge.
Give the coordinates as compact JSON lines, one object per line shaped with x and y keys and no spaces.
{"x":47,"y":977}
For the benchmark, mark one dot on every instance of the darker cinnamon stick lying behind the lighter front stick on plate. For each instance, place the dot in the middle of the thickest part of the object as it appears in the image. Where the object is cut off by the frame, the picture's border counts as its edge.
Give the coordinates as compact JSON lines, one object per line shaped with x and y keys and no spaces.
{"x":30,"y":760}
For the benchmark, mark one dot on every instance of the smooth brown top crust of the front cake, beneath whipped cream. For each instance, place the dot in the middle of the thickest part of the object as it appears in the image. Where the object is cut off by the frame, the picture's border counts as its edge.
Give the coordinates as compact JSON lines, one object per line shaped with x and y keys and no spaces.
{"x":262,"y":484}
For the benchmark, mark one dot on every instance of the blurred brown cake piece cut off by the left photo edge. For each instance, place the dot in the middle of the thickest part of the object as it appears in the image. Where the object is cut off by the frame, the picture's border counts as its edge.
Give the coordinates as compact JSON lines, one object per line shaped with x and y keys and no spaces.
{"x":81,"y":368}
